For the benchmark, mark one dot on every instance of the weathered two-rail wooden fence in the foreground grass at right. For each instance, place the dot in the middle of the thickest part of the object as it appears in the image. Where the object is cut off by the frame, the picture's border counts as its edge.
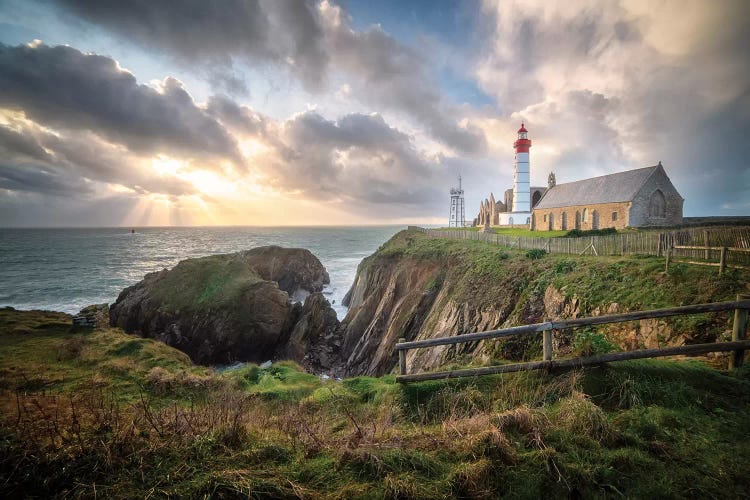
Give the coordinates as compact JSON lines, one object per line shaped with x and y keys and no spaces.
{"x":738,"y":344}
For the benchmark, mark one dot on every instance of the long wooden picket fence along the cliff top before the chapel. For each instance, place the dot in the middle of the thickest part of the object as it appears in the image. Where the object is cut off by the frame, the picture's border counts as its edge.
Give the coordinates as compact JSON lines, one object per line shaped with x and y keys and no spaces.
{"x":627,"y":243}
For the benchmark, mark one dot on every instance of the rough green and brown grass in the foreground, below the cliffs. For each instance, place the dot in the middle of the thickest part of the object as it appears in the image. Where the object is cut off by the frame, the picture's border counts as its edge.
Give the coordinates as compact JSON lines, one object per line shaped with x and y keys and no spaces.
{"x":102,"y":412}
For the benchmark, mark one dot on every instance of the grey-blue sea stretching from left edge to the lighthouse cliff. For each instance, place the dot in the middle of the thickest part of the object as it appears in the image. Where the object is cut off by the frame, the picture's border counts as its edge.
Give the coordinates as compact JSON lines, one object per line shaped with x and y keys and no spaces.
{"x":67,"y":269}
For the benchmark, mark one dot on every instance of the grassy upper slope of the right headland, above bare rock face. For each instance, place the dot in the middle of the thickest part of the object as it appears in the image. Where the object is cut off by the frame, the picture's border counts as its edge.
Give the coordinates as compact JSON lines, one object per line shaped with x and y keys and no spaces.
{"x":483,"y":274}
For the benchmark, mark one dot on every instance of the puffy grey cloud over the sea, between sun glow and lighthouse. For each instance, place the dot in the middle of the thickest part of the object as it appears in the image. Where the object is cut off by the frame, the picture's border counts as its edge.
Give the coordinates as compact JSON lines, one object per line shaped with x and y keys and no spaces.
{"x":358,"y":159}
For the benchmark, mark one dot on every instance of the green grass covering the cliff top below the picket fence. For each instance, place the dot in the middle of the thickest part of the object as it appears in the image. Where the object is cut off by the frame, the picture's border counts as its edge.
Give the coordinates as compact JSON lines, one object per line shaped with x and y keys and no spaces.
{"x":519,"y":285}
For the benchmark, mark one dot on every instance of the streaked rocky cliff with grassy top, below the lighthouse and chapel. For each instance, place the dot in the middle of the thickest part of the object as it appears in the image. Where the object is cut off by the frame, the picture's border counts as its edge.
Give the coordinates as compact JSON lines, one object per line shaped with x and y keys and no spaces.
{"x":418,"y":288}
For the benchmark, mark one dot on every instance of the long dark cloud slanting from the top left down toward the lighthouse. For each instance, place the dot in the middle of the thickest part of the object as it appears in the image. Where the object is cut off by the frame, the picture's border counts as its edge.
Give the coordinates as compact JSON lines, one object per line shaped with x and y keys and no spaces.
{"x":294,"y":34}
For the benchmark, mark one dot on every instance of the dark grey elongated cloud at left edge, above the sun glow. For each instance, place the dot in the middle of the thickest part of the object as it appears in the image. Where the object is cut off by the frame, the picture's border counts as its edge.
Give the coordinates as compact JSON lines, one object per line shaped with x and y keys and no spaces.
{"x":61,"y":86}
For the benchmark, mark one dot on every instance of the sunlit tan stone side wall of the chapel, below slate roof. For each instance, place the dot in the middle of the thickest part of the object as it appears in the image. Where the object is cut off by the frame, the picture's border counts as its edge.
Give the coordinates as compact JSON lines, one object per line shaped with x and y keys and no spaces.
{"x":604,"y":212}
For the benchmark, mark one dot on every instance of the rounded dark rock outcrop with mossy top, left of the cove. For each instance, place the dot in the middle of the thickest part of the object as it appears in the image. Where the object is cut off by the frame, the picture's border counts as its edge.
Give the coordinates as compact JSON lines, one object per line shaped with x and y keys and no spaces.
{"x":236,"y":307}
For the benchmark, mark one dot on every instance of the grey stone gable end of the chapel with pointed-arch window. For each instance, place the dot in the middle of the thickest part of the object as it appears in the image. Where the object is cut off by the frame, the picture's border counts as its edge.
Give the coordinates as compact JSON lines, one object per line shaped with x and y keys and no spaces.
{"x":641,"y":212}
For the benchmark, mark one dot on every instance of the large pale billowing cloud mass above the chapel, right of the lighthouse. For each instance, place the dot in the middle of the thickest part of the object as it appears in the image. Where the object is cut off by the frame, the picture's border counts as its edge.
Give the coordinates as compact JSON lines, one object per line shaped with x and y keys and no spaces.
{"x":609,"y":86}
